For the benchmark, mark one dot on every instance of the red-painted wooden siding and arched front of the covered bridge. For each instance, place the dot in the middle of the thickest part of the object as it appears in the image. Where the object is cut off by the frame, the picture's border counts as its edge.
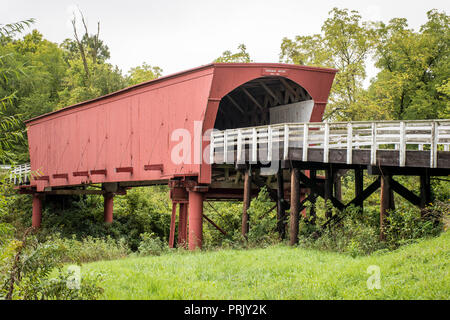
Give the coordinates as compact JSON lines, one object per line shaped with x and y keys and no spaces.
{"x":132,"y":128}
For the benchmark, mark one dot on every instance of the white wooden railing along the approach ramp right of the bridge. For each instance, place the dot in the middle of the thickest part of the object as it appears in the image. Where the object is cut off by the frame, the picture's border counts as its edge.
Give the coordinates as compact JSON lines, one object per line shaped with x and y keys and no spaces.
{"x":429,"y":135}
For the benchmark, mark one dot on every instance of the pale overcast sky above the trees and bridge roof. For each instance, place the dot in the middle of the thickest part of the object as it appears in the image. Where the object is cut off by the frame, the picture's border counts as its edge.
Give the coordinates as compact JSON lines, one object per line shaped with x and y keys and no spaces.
{"x":177,"y":35}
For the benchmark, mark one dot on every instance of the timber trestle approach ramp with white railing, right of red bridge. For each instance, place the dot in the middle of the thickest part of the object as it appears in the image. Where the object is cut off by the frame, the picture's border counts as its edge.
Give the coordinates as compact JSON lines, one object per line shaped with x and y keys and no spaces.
{"x":294,"y":152}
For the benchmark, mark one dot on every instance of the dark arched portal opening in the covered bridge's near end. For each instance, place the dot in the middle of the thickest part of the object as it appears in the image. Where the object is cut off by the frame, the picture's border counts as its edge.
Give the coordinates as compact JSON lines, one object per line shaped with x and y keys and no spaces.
{"x":263,"y":101}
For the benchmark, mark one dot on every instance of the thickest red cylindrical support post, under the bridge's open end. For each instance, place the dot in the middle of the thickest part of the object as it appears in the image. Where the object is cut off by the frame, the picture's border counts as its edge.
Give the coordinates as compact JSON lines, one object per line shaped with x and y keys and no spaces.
{"x":195,"y":220}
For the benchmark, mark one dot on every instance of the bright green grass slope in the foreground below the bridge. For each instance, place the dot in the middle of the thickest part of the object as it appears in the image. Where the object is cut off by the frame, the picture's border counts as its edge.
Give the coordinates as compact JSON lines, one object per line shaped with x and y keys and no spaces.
{"x":417,"y":271}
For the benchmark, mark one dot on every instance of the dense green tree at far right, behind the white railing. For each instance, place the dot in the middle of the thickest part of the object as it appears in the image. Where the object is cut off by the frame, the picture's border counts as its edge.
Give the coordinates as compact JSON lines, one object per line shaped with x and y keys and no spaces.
{"x":415,"y":68}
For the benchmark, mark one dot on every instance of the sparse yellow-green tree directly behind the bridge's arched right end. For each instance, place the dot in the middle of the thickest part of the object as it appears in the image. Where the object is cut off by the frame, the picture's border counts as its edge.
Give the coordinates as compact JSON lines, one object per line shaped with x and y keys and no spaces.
{"x":345,"y":43}
